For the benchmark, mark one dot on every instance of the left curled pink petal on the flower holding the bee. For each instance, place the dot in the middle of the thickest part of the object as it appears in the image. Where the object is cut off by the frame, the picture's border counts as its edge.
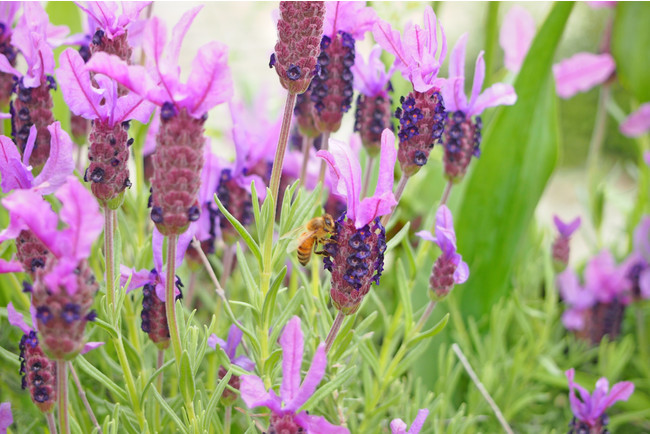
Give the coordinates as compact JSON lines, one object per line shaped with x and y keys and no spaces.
{"x":345,"y":170}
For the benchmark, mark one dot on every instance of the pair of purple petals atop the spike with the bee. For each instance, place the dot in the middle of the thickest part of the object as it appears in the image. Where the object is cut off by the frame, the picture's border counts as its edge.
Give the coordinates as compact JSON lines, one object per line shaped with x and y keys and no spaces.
{"x":345,"y":170}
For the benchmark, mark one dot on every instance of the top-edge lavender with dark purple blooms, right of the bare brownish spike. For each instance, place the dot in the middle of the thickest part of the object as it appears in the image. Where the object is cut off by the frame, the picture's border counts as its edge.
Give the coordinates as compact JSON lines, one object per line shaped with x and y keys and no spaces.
{"x":331,"y":89}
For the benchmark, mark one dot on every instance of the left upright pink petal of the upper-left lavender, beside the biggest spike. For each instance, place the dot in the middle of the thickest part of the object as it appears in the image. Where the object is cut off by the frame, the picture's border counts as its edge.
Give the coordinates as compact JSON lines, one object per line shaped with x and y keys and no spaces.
{"x":81,"y":97}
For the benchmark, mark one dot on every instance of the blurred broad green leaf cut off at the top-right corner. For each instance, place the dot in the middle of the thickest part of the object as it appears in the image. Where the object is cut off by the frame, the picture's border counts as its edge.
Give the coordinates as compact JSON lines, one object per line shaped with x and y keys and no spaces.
{"x":631,"y":47}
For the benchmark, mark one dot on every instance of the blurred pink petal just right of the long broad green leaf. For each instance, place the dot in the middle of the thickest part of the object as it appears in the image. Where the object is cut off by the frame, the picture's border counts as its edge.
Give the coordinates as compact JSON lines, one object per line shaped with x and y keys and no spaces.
{"x":581,"y":72}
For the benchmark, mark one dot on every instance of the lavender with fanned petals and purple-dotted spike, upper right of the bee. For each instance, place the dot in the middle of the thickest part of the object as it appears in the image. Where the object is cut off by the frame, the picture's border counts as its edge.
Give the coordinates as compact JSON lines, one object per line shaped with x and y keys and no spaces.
{"x":418,"y":56}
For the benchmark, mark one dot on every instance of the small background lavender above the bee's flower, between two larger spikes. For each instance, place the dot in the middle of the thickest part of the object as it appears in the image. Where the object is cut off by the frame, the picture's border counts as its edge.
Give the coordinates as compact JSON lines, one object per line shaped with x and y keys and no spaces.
{"x":373,"y":103}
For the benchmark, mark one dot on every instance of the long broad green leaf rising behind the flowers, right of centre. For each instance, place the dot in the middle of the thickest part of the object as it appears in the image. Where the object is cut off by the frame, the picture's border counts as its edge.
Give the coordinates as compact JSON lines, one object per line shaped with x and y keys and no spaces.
{"x":520,"y":152}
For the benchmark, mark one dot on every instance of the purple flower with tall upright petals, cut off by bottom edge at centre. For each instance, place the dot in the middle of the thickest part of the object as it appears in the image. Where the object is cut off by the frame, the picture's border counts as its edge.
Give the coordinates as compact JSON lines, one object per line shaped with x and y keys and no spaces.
{"x":293,"y":394}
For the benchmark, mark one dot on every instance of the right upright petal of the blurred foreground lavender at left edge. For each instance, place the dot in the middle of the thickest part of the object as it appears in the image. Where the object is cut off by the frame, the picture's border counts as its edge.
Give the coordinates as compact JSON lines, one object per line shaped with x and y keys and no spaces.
{"x":81,"y":213}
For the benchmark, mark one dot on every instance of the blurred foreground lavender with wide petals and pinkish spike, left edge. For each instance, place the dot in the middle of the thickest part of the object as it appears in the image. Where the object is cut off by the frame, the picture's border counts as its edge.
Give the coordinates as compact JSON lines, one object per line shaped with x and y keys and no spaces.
{"x":64,"y":287}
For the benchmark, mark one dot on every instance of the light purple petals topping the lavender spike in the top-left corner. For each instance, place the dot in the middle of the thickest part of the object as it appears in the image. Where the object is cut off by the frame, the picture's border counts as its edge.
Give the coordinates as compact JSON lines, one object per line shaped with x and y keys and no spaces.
{"x":35,"y":37}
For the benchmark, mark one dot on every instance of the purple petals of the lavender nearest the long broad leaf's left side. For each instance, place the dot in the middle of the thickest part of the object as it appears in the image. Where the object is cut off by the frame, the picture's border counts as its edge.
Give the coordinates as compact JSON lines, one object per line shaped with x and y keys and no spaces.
{"x":454,"y":92}
